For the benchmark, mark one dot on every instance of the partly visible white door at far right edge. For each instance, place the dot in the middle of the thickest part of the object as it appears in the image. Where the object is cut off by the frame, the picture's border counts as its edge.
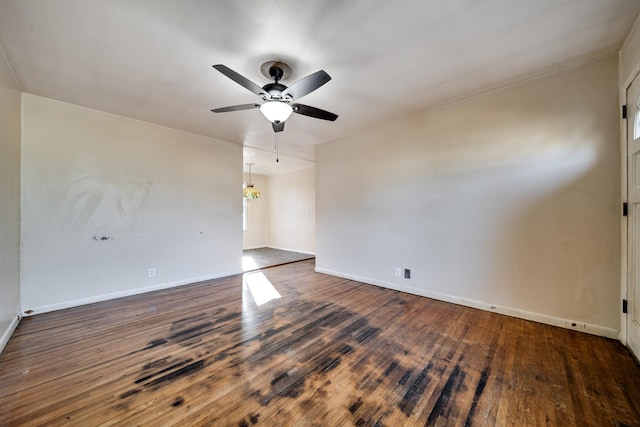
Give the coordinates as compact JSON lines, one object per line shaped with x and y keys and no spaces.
{"x":633,"y":240}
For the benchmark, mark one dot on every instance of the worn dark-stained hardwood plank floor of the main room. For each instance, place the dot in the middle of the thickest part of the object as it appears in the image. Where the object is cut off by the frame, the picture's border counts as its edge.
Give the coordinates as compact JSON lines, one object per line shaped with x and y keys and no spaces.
{"x":328,"y":352}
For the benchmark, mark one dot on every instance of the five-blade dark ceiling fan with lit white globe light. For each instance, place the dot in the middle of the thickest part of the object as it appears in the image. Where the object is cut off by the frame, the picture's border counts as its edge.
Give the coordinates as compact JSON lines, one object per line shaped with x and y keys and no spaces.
{"x":279,"y":99}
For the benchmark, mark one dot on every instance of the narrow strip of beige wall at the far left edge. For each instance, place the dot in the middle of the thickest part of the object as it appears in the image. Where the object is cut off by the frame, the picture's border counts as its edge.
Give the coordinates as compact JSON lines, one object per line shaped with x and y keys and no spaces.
{"x":9,"y":201}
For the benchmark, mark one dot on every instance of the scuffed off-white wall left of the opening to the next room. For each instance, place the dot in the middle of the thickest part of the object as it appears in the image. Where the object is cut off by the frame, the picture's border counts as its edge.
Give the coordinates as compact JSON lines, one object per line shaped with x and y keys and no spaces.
{"x":105,"y":198}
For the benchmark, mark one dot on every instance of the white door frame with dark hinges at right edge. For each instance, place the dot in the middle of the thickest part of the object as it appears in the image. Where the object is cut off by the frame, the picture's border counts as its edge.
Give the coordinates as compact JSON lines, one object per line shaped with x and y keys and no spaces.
{"x":624,"y":223}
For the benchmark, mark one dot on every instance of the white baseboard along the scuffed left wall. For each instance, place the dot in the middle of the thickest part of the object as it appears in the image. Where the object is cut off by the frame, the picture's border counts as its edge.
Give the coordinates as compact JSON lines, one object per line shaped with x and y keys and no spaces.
{"x":105,"y":297}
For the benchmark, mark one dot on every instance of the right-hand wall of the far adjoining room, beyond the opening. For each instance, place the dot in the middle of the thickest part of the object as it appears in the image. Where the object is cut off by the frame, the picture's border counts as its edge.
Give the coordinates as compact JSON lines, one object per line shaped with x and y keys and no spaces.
{"x":291,"y":214}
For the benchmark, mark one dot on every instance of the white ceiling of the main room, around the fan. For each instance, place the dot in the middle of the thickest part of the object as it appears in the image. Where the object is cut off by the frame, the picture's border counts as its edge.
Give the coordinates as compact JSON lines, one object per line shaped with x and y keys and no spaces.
{"x":152,"y":59}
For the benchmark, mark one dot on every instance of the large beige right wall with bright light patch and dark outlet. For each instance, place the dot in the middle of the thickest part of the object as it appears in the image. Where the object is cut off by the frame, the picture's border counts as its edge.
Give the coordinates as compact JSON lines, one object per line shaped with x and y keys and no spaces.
{"x":509,"y":201}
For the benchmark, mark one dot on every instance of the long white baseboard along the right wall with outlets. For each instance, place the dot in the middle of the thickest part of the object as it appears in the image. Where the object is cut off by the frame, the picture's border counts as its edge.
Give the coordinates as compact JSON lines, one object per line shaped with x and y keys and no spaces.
{"x":589,"y":328}
